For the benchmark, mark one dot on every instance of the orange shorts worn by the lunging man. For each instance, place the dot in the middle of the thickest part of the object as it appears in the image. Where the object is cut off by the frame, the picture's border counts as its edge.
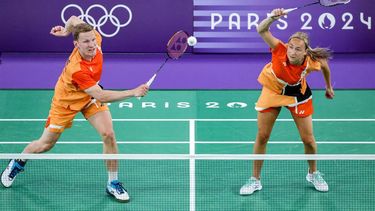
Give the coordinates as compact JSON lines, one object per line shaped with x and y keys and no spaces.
{"x":60,"y":117}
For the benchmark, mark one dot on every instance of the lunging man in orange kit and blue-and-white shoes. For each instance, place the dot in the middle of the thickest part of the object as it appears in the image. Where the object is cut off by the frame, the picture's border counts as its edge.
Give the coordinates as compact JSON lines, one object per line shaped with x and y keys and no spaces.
{"x":77,"y":90}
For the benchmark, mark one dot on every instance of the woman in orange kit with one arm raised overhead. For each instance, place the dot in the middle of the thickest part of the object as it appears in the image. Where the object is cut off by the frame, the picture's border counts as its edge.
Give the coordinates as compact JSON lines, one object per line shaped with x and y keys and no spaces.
{"x":284,"y":84}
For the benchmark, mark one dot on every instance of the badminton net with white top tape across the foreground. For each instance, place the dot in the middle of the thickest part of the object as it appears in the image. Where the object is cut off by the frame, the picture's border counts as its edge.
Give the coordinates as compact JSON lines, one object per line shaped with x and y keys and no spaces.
{"x":189,"y":182}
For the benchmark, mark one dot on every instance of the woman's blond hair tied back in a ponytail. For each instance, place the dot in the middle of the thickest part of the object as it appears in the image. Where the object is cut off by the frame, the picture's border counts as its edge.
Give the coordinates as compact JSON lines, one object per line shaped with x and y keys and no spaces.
{"x":314,"y":53}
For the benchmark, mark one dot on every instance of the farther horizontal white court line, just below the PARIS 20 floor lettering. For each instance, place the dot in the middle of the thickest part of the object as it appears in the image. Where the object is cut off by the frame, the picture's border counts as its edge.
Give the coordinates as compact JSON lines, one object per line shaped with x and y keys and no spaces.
{"x":199,"y":120}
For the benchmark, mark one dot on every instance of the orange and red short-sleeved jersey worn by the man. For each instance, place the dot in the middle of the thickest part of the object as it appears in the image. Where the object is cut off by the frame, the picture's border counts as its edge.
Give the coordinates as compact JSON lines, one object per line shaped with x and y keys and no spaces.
{"x":78,"y":75}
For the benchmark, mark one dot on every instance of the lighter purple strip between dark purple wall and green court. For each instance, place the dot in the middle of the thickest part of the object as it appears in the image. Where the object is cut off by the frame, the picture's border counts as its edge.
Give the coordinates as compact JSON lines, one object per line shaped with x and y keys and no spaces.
{"x":193,"y":71}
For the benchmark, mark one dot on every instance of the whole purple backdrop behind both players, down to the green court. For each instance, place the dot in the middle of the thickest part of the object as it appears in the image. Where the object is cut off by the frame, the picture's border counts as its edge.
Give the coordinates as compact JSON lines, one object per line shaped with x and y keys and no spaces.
{"x":25,"y":27}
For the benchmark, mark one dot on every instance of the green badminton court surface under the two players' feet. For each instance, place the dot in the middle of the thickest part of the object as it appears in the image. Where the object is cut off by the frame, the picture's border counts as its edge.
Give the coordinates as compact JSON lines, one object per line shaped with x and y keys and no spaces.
{"x":169,"y":122}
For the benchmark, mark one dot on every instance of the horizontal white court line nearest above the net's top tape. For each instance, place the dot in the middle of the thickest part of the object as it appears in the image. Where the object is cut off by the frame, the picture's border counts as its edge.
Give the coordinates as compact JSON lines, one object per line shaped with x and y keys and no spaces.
{"x":197,"y":142}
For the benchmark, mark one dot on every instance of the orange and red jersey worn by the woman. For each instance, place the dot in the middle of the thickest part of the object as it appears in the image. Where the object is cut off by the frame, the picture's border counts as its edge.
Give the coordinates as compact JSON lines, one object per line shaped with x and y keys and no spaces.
{"x":279,"y":74}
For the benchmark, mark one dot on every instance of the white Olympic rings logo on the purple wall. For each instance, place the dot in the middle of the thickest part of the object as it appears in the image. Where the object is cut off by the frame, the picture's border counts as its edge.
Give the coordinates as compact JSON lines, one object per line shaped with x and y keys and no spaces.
{"x":102,"y":20}
